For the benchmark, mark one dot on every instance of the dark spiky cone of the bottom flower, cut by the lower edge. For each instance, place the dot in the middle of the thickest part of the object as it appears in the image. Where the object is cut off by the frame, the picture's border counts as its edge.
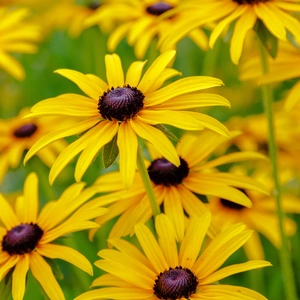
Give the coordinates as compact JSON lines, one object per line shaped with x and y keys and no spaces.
{"x":175,"y":284}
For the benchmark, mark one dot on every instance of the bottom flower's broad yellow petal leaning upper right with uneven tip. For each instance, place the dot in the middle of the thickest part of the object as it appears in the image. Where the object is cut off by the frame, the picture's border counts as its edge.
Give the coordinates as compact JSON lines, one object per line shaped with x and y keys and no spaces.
{"x":192,"y":242}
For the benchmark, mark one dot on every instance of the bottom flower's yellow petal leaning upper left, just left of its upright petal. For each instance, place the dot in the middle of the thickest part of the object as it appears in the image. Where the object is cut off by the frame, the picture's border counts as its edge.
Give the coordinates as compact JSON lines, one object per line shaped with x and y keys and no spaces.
{"x":151,"y":248}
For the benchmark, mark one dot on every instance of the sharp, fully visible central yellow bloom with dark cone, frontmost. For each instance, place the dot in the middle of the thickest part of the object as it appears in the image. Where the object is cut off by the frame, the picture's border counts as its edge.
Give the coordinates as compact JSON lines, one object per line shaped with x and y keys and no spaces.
{"x":126,"y":108}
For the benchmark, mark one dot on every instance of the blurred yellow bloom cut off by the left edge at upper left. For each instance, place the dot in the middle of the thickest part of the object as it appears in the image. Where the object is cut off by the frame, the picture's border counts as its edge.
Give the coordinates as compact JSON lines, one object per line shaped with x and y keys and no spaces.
{"x":16,"y":36}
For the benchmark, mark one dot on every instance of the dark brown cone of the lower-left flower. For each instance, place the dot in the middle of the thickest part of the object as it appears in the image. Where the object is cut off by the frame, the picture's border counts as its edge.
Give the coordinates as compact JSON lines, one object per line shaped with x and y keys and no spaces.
{"x":22,"y":239}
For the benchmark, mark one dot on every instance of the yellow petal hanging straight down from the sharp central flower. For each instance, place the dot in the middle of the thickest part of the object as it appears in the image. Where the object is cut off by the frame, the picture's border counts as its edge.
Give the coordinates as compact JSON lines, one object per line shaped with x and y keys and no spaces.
{"x":128,"y":145}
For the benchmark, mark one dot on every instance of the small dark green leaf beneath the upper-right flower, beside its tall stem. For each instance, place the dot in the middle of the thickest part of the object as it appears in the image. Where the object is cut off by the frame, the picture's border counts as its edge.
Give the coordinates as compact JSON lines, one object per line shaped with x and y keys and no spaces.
{"x":269,"y":41}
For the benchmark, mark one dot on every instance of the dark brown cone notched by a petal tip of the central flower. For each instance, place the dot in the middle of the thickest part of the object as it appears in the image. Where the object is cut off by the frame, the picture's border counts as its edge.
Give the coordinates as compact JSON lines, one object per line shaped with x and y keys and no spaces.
{"x":161,"y":171}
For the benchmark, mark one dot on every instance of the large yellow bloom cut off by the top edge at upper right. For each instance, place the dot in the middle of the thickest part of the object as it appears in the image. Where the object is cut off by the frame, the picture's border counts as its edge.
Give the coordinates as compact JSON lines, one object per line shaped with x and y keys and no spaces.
{"x":275,"y":14}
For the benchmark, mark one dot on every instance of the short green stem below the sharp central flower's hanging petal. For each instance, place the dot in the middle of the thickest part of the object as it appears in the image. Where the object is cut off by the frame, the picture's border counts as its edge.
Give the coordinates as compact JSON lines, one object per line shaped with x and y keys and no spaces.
{"x":147,"y":183}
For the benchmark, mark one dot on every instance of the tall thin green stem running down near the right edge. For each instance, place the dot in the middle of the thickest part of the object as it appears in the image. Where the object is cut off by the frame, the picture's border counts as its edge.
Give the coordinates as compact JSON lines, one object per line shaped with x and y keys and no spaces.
{"x":284,"y":254}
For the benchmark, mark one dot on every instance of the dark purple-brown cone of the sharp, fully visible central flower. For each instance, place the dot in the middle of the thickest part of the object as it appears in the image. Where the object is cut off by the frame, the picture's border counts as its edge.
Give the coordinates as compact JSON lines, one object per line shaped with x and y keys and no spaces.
{"x":121,"y":103}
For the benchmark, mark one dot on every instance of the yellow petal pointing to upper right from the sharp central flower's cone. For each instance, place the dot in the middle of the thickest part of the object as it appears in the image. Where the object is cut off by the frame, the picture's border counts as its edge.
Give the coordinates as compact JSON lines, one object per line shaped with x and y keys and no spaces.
{"x":154,"y":71}
